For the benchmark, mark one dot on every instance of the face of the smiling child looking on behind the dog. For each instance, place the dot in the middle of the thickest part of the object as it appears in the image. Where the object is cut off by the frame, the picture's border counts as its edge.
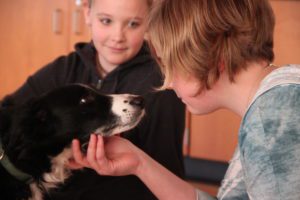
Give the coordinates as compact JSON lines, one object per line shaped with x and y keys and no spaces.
{"x":117,"y":29}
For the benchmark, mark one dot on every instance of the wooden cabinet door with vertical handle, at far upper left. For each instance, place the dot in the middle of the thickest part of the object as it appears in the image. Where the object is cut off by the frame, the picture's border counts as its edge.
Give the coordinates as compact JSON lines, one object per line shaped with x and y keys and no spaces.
{"x":33,"y":33}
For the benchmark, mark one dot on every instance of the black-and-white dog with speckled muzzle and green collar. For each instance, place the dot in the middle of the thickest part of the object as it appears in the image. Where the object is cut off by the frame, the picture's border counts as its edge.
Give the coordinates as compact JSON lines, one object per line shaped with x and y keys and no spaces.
{"x":35,"y":137}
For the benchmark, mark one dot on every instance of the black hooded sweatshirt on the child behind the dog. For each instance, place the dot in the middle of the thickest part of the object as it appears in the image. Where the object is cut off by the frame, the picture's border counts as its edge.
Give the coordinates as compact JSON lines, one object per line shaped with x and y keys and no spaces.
{"x":159,"y":134}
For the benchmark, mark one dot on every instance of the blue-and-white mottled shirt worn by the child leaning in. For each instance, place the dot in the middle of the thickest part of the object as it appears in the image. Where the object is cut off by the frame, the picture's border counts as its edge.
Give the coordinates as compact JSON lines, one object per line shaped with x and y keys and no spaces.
{"x":266,"y":163}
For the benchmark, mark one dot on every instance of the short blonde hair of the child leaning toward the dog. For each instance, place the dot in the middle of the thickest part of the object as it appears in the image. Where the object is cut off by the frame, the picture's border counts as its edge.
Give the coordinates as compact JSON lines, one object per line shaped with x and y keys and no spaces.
{"x":195,"y":37}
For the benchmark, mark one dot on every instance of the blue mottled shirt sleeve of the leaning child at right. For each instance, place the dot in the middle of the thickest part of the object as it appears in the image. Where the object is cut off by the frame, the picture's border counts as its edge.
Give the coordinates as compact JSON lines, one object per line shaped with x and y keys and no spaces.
{"x":270,"y":145}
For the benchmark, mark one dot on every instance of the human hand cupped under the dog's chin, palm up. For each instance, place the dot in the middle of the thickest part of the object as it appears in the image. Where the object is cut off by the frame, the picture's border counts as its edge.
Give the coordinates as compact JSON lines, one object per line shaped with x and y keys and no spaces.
{"x":114,"y":156}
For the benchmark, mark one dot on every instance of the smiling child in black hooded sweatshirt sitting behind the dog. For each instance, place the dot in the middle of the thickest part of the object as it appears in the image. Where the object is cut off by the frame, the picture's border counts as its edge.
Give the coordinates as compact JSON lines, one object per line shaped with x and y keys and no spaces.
{"x":117,"y":61}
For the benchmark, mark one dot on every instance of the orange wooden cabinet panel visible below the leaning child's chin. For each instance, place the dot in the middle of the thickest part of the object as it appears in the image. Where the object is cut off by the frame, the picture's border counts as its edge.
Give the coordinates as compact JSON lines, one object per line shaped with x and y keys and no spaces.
{"x":214,"y":136}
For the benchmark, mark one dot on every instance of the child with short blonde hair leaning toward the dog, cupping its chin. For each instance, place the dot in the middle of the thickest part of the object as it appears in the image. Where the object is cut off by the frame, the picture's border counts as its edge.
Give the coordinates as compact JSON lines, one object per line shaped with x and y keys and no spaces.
{"x":217,"y":54}
